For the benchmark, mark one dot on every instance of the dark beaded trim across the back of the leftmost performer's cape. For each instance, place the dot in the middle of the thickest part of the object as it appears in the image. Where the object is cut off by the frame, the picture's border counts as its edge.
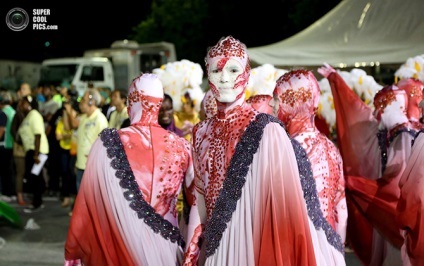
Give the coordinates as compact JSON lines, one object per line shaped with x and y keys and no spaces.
{"x":132,"y":193}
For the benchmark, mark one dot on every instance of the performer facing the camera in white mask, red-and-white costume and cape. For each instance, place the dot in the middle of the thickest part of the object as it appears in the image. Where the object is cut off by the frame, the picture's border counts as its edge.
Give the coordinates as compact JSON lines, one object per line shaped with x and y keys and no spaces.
{"x":252,"y":205}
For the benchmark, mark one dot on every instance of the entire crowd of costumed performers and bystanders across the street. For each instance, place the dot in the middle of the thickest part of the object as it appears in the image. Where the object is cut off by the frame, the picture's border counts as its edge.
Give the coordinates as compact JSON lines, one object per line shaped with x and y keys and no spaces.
{"x":245,"y":180}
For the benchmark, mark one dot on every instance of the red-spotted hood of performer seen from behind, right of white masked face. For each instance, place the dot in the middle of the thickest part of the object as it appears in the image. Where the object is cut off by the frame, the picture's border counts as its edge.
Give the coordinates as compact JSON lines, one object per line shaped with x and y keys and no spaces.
{"x":299,"y":94}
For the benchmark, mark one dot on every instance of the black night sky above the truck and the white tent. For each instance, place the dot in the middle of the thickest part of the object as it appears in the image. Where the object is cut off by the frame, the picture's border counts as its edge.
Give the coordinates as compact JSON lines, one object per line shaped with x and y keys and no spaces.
{"x":87,"y":24}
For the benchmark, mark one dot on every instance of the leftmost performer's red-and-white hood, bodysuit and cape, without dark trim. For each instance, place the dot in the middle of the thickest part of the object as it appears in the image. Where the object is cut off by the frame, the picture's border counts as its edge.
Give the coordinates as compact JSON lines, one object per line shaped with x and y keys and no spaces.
{"x":104,"y":230}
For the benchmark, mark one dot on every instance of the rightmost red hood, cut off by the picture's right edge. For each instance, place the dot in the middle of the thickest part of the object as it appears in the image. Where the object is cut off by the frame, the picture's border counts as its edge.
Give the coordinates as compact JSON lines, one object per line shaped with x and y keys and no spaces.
{"x":414,"y":91}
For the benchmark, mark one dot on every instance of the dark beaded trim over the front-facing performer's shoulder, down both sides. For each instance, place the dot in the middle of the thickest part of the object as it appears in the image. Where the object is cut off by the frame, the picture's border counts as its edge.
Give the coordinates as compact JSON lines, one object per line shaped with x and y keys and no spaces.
{"x":226,"y":202}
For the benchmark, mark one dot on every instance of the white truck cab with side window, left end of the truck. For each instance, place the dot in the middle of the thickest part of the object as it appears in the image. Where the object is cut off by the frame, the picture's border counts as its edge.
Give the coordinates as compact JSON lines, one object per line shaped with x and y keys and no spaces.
{"x":78,"y":71}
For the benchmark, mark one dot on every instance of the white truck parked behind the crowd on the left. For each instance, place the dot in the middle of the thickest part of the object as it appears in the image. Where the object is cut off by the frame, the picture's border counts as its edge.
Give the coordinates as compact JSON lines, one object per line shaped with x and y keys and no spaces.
{"x":111,"y":68}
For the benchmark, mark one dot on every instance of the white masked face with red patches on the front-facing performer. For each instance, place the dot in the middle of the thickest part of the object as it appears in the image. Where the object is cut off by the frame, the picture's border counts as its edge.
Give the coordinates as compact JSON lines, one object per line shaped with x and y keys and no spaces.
{"x":227,"y":79}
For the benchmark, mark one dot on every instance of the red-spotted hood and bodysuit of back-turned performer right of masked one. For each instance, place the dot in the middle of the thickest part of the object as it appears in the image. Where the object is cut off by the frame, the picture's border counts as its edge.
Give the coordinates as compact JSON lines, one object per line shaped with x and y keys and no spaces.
{"x":299,"y":93}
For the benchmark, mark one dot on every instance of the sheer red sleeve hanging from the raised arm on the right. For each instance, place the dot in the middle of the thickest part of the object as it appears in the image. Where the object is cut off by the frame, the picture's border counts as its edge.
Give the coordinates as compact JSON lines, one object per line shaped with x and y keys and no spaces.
{"x":357,"y":131}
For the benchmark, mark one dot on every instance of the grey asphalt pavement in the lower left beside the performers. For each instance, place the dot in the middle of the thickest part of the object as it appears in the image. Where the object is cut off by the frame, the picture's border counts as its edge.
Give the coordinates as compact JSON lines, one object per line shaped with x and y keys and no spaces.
{"x":42,"y":242}
